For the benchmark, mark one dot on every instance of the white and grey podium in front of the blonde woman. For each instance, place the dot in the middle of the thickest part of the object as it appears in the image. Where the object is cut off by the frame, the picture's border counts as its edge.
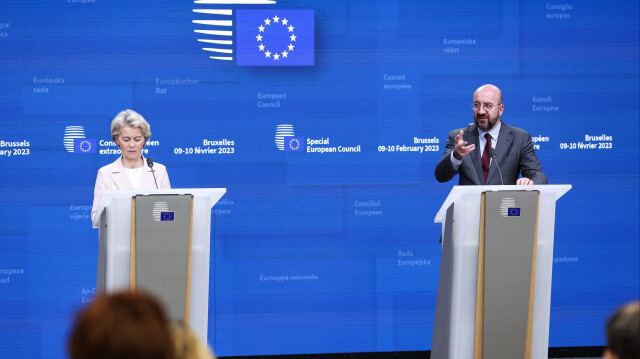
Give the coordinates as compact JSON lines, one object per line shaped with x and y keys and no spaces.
{"x":157,"y":240}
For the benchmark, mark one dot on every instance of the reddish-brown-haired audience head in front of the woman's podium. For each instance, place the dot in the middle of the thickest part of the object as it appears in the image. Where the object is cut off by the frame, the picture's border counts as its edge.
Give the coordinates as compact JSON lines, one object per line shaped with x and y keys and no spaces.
{"x":122,"y":326}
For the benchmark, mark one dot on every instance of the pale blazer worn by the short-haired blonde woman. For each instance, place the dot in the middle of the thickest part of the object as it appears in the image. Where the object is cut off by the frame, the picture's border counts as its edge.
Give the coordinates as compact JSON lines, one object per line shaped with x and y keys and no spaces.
{"x":114,"y":176}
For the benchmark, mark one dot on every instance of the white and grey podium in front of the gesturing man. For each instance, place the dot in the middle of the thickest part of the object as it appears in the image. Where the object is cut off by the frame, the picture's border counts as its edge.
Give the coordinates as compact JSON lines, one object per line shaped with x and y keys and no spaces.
{"x":494,"y":290}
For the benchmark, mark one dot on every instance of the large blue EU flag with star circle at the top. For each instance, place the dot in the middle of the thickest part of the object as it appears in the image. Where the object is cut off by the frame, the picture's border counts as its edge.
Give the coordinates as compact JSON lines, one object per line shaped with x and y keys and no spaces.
{"x":275,"y":38}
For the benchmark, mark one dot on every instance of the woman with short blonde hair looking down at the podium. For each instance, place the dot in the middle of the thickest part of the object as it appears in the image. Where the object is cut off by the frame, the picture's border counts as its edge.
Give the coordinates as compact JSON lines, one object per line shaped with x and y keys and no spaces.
{"x":130,"y":131}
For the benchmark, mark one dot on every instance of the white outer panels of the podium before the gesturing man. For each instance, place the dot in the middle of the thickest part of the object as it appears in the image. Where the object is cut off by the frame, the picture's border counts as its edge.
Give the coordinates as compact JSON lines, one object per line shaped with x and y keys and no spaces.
{"x":455,"y":317}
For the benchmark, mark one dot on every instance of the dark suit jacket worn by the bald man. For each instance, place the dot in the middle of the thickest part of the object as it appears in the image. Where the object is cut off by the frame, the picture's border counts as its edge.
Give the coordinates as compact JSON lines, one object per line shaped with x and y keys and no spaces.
{"x":514,"y":154}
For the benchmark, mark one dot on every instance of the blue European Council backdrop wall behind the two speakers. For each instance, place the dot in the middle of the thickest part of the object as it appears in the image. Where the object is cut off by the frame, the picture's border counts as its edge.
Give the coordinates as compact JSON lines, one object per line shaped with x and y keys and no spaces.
{"x":310,"y":247}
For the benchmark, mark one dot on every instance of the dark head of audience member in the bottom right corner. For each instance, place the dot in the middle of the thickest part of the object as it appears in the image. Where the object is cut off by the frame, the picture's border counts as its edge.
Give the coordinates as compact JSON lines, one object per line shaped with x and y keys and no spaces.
{"x":623,"y":333}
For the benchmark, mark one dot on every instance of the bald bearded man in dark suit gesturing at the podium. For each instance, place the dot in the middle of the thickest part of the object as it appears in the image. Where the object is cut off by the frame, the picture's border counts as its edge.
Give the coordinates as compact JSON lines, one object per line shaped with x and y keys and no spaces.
{"x":467,"y":151}
